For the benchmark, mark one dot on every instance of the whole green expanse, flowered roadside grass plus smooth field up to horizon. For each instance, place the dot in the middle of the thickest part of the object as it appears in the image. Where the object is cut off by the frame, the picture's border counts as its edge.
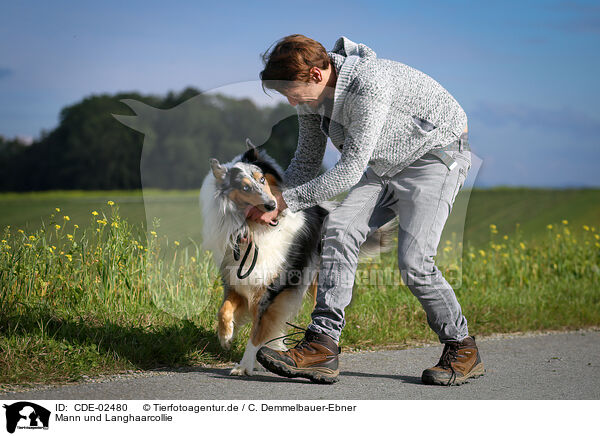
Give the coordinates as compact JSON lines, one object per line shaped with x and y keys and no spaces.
{"x":87,"y":288}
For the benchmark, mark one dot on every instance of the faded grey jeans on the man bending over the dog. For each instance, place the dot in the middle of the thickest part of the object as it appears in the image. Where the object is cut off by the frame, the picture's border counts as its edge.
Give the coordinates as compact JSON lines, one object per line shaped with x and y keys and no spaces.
{"x":421,"y":195}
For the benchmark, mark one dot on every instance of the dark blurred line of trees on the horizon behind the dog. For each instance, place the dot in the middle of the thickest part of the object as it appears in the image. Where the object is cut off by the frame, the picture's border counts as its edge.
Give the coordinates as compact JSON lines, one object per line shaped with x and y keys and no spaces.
{"x":169,"y":147}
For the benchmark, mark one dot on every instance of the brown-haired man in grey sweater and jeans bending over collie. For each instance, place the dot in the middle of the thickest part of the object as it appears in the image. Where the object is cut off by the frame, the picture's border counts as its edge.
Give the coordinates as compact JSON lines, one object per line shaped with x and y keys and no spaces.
{"x":404,"y":152}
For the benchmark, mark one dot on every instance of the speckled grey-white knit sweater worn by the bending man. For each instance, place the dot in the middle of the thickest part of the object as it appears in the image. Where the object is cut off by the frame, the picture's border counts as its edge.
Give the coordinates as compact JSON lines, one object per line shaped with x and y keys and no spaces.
{"x":385,"y":115}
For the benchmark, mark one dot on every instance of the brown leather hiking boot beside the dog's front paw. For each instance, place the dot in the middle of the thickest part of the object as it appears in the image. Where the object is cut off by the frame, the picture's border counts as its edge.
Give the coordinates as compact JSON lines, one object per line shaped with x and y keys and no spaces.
{"x":315,"y":357}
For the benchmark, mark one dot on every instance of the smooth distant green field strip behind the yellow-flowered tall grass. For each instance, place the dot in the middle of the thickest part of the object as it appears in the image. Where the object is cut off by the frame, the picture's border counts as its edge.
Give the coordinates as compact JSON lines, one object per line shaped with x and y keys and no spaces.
{"x":532,"y":209}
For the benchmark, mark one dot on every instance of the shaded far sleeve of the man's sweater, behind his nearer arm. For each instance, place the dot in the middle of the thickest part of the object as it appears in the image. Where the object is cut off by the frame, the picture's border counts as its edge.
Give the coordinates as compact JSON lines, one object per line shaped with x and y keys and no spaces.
{"x":309,"y":153}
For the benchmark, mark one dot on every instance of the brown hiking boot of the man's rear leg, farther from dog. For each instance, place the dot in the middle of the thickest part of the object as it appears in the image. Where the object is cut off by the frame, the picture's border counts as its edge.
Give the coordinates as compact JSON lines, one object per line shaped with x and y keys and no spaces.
{"x":460,"y":361}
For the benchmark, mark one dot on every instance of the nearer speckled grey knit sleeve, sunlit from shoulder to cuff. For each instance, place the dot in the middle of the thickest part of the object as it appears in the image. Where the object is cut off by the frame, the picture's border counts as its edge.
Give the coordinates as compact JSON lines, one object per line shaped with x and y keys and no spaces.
{"x":367,"y":114}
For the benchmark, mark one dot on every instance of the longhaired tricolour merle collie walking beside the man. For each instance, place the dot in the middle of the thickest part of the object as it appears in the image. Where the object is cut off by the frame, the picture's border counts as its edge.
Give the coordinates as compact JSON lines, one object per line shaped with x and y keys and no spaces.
{"x":266,"y":269}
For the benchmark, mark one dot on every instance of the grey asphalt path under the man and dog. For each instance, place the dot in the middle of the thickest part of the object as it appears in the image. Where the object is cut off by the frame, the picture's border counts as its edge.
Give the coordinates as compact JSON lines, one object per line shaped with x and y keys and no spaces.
{"x":539,"y":366}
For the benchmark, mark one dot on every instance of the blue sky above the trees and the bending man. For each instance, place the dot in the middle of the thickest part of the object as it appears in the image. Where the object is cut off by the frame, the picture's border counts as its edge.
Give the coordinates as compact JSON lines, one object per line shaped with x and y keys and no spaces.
{"x":526,"y":73}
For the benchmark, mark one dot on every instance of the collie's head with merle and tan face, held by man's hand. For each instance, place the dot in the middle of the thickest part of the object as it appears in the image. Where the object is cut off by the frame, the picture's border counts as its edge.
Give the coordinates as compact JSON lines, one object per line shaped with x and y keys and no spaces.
{"x":250,"y":181}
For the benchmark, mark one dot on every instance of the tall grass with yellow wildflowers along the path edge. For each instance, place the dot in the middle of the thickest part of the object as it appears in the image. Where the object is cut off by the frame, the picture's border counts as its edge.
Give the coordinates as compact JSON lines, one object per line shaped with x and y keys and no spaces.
{"x":84,"y":300}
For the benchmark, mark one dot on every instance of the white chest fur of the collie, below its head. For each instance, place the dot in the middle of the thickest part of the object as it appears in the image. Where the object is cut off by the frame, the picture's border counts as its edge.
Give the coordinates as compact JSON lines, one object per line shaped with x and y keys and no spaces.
{"x":273,"y":246}
